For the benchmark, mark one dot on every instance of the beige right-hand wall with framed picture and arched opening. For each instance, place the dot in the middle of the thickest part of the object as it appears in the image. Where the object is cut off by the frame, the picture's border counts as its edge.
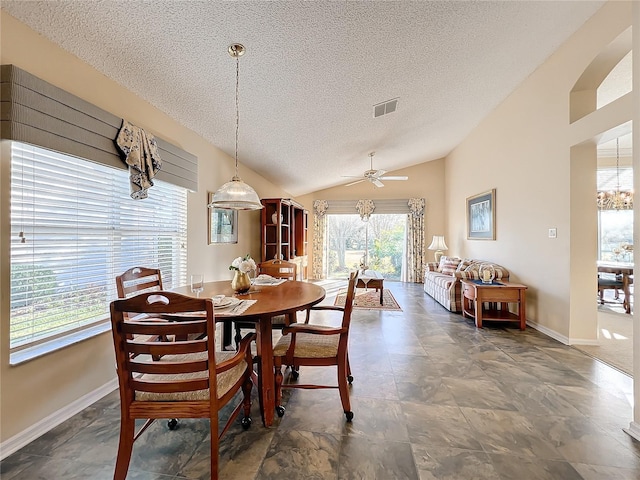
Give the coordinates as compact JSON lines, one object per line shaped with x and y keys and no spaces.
{"x":523,"y":150}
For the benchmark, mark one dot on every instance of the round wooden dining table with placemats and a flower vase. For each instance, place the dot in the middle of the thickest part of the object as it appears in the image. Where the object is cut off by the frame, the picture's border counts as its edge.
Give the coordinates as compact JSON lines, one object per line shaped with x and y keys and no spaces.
{"x":288,"y":297}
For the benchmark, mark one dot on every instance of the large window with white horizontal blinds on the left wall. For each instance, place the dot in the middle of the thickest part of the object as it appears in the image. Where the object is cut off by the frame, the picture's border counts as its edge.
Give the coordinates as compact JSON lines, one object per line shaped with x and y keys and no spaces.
{"x":74,"y":228}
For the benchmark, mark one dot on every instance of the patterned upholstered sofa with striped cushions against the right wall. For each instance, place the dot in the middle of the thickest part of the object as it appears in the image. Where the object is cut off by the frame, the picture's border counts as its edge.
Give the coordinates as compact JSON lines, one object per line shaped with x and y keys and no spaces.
{"x":442,"y":280}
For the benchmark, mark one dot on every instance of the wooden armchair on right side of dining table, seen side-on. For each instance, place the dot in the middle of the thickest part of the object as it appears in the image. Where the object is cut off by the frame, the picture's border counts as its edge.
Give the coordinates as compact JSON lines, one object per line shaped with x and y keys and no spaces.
{"x":304,"y":344}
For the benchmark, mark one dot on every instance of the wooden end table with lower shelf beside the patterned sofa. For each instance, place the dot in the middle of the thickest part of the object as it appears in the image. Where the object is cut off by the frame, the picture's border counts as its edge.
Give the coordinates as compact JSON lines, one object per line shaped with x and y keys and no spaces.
{"x":476,"y":294}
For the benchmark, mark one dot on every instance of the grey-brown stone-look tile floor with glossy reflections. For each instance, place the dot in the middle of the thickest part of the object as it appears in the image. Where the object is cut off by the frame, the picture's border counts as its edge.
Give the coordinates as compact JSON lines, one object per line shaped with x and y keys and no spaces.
{"x":433,"y":397}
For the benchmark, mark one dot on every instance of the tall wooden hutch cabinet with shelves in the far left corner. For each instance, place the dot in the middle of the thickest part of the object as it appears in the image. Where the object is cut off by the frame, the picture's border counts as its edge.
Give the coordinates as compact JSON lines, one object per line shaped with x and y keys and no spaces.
{"x":285,"y":232}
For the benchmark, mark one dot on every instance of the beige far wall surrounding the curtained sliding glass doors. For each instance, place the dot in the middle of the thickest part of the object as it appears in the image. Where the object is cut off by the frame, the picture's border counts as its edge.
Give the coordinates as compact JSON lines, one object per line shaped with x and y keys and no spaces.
{"x":425,"y":181}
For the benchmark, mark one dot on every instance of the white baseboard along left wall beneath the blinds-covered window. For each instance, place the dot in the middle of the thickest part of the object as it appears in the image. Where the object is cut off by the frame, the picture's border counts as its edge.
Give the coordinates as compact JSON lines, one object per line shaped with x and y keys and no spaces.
{"x":27,"y":436}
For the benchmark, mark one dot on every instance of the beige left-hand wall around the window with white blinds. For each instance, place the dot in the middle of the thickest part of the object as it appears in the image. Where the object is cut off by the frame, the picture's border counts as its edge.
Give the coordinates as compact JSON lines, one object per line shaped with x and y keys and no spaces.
{"x":32,"y":391}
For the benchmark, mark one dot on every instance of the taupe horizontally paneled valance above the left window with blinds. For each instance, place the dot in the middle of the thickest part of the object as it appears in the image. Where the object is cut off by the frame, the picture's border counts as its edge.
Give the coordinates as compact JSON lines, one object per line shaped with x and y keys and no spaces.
{"x":41,"y":114}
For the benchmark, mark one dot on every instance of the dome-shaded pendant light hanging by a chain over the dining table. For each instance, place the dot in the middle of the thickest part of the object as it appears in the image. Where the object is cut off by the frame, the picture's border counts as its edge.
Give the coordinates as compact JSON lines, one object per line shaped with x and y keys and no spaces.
{"x":236,"y":195}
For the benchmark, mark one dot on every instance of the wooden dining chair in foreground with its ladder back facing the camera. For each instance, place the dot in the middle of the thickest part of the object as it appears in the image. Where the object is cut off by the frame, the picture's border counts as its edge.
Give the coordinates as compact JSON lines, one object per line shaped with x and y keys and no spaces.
{"x":191,"y":379}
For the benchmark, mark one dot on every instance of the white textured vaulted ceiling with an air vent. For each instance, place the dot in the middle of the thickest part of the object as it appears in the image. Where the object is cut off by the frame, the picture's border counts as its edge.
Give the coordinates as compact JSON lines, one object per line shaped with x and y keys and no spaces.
{"x":314,"y":70}
